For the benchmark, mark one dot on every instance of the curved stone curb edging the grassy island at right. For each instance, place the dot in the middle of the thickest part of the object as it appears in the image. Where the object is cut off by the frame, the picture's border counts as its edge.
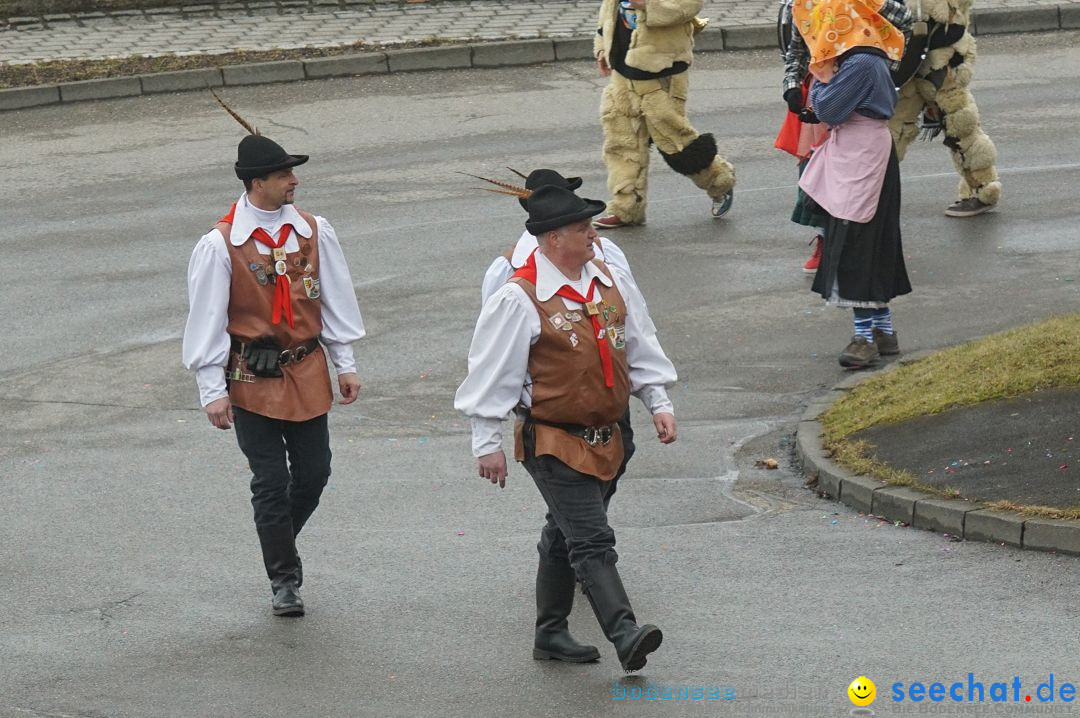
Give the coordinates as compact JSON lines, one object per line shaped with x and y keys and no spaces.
{"x":919,"y":509}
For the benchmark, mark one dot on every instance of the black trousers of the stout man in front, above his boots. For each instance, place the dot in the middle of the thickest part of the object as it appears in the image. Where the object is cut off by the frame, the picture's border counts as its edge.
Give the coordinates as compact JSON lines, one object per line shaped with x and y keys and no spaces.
{"x":577,"y":530}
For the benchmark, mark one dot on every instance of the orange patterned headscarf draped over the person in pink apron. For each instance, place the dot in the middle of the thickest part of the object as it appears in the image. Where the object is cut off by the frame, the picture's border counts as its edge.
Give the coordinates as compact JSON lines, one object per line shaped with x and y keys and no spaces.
{"x":833,"y":28}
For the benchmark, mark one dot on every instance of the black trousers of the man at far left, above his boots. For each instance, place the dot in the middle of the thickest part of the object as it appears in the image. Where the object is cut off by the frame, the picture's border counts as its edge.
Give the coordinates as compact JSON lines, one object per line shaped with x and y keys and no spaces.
{"x":290,"y":463}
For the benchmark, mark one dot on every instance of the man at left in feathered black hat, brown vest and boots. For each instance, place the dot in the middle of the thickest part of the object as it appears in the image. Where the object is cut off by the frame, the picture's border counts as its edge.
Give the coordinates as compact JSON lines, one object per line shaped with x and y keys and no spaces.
{"x":271,"y":299}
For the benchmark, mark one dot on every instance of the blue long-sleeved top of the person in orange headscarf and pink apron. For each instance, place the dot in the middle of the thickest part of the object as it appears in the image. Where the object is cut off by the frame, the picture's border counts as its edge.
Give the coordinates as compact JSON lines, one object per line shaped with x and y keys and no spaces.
{"x":861,"y":85}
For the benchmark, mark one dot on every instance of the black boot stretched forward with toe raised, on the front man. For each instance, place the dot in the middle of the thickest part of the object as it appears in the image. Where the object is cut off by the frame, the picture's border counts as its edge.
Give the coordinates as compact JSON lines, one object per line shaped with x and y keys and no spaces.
{"x":612,"y":606}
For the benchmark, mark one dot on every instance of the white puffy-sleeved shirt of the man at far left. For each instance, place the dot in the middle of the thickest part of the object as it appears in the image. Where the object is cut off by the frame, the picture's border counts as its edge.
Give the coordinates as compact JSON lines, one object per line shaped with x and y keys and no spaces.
{"x":210,"y":277}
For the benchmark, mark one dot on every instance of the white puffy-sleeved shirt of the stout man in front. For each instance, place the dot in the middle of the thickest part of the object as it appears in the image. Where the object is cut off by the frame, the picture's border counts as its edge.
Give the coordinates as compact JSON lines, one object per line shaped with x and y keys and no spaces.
{"x":507,"y":329}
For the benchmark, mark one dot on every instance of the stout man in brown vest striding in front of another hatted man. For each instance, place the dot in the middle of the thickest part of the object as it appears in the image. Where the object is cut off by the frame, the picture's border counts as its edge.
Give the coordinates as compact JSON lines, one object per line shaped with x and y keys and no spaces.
{"x":568,"y":341}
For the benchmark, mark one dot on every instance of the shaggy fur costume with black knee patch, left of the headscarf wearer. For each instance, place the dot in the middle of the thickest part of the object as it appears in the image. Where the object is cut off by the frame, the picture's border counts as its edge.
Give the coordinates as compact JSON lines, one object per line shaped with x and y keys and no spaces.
{"x":633,"y":113}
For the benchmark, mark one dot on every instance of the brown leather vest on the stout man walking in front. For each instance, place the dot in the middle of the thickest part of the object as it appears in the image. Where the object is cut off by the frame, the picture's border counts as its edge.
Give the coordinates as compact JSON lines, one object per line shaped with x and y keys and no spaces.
{"x":569,"y":381}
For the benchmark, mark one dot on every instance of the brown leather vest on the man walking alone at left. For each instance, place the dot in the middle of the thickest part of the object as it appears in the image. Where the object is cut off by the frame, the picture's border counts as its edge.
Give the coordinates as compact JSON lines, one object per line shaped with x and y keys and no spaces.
{"x":304,"y":390}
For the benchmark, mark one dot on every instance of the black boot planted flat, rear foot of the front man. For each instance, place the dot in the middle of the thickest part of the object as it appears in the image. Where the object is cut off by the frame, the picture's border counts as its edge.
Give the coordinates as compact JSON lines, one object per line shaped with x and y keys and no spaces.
{"x":553,"y":642}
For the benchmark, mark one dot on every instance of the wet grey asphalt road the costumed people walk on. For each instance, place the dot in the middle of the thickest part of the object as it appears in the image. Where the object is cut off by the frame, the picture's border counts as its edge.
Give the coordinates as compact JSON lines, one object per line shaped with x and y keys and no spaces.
{"x":132,"y":575}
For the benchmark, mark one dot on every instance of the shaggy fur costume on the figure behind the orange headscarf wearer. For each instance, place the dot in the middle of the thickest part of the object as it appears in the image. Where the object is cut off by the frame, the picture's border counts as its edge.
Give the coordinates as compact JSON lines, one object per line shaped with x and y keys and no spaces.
{"x":942,"y":82}
